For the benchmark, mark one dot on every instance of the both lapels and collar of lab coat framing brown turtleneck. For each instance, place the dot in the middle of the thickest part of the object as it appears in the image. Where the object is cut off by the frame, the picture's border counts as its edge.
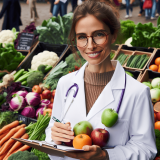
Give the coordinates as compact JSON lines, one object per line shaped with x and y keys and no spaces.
{"x":106,"y":97}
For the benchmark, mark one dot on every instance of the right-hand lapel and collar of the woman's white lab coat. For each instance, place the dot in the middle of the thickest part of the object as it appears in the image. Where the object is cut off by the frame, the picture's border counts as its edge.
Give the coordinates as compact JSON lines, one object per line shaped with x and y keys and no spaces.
{"x":106,"y":97}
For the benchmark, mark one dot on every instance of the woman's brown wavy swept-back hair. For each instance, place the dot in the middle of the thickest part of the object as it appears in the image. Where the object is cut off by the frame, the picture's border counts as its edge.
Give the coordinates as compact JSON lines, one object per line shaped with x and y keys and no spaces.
{"x":104,"y":10}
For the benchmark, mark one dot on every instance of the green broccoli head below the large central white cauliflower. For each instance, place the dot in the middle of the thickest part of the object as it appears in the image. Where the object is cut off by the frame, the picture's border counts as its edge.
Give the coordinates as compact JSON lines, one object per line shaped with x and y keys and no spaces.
{"x":35,"y":78}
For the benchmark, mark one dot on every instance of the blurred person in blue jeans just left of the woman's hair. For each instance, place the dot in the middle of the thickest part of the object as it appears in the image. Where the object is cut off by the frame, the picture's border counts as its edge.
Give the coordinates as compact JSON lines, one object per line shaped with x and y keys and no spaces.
{"x":60,"y":6}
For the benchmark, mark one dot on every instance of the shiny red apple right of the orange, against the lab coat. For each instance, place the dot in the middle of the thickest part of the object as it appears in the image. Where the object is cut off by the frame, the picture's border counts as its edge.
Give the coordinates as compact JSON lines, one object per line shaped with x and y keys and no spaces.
{"x":100,"y":137}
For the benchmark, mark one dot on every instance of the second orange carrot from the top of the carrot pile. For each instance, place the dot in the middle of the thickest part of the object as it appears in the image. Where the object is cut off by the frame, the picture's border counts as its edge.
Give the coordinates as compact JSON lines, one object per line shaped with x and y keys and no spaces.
{"x":11,"y":133}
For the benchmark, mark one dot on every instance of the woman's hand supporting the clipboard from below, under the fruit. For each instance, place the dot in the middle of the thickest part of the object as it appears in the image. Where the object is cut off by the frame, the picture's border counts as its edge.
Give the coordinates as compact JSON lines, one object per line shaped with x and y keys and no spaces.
{"x":93,"y":152}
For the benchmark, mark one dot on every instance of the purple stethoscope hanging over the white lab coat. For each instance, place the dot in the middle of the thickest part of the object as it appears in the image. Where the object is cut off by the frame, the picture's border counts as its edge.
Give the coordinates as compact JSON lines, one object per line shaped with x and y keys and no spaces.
{"x":76,"y":91}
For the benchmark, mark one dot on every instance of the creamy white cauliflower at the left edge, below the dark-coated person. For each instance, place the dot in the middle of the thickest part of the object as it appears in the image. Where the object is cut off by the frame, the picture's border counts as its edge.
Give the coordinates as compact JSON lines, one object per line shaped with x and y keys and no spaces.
{"x":6,"y":36}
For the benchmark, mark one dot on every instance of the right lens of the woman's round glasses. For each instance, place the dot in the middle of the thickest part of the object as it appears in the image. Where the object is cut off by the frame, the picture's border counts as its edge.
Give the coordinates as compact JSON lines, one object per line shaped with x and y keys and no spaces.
{"x":99,"y":37}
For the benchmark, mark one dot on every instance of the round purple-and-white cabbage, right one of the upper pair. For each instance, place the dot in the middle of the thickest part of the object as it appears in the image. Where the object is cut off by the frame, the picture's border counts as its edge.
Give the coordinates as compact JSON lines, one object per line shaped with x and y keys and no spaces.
{"x":33,"y":99}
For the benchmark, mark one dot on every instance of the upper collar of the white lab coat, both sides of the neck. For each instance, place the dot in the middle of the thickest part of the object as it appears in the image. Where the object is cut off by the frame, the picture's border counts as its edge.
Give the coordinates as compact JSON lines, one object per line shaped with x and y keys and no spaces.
{"x":117,"y":81}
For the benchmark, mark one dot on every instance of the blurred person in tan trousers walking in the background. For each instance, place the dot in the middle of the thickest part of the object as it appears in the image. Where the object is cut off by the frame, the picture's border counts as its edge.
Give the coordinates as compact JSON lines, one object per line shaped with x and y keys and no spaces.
{"x":33,"y":11}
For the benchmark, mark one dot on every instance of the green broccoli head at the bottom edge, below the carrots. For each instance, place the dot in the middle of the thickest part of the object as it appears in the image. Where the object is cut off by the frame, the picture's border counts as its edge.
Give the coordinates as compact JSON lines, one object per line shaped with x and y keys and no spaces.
{"x":25,"y":155}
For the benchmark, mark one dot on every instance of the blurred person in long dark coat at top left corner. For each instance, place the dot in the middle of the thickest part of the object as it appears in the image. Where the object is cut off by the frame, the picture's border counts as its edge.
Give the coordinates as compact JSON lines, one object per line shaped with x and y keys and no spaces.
{"x":12,"y":12}
